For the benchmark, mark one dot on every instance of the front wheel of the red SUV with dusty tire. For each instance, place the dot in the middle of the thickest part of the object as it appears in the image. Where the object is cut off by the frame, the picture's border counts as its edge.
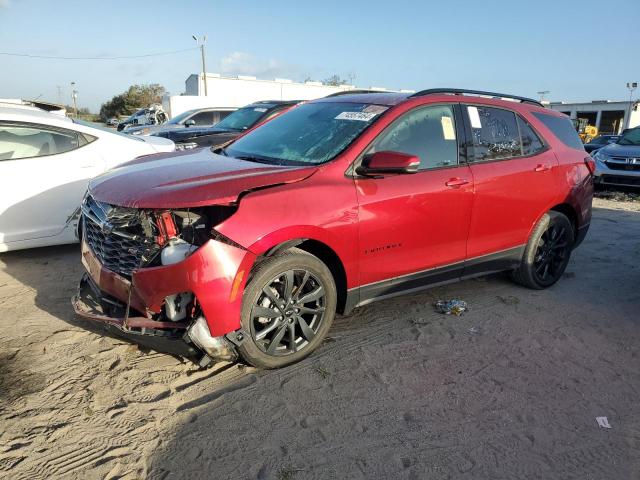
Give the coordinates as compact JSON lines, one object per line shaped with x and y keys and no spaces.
{"x":287,"y":309}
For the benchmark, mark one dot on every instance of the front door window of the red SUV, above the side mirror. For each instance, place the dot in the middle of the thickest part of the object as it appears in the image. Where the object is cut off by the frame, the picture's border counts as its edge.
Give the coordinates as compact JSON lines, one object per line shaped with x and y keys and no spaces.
{"x":427,"y":132}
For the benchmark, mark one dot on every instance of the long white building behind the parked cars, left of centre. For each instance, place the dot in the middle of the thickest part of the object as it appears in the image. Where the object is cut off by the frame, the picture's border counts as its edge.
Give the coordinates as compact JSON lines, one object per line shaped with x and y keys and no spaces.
{"x":226,"y":94}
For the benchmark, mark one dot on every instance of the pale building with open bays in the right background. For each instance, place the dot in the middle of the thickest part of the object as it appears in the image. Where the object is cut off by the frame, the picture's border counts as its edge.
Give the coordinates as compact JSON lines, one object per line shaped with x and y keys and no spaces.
{"x":609,"y":116}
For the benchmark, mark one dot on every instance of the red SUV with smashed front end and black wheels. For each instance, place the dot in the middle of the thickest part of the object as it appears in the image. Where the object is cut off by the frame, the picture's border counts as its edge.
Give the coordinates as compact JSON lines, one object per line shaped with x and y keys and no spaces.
{"x":251,"y":249}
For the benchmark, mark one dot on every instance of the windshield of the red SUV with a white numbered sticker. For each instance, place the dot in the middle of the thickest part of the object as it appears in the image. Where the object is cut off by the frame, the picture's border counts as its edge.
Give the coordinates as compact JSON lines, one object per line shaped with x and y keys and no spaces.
{"x":312,"y":133}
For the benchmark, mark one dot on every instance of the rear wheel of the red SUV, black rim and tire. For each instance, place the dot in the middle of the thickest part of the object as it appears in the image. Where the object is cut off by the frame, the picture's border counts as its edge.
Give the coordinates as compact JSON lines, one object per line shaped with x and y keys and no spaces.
{"x":547,"y":253}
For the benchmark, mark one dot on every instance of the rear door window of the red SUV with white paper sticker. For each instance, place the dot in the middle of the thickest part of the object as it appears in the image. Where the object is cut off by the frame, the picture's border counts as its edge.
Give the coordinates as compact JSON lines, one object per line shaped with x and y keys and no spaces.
{"x":494,"y":133}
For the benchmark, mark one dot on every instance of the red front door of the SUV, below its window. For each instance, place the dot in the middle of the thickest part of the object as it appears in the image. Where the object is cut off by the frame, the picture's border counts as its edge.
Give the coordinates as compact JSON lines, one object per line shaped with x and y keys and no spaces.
{"x":410,"y":223}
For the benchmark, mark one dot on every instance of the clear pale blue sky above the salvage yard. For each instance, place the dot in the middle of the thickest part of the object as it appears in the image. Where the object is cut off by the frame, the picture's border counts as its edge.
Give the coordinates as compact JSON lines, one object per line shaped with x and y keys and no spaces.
{"x":577,"y":50}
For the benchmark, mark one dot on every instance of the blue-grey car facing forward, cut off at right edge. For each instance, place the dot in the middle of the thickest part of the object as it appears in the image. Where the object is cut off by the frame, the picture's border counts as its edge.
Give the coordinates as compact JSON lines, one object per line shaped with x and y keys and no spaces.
{"x":618,"y":163}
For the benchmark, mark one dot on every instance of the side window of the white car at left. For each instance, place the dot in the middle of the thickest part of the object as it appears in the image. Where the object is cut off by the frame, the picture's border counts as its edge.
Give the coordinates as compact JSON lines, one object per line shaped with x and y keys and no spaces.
{"x":22,"y":141}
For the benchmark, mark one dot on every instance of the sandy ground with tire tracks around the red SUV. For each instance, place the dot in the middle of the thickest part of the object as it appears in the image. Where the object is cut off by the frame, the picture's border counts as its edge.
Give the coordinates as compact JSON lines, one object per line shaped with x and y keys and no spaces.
{"x":511,"y":389}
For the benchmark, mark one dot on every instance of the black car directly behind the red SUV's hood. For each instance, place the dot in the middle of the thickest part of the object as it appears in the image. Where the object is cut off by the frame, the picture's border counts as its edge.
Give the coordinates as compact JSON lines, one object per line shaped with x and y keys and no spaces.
{"x":231,"y":127}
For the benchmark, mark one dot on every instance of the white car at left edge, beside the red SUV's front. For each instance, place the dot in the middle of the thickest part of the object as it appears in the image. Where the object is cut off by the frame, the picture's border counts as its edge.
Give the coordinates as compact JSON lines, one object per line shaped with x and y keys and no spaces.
{"x":46,"y":161}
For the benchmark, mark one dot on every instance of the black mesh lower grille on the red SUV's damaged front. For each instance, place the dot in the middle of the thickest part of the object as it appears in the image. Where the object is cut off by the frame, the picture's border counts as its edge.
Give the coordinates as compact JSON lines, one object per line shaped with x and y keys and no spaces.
{"x":118,"y":254}
